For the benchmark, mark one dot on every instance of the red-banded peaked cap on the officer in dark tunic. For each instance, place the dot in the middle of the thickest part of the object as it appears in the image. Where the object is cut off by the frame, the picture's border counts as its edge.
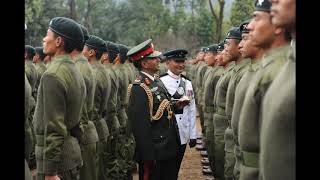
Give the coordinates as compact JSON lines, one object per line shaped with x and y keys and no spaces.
{"x":143,"y":50}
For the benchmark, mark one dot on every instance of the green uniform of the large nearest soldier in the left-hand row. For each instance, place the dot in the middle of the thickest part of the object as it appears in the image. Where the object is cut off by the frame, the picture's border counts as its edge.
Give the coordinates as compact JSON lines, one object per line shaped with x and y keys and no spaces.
{"x":61,"y":96}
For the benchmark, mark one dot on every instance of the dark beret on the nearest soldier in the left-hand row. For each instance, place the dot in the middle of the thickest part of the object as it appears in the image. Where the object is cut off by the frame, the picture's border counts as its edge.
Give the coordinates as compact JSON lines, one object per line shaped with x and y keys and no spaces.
{"x":67,"y":28}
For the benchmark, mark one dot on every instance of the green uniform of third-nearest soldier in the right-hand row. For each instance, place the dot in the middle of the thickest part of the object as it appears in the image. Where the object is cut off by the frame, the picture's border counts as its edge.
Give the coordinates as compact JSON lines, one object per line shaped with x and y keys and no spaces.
{"x":237,"y":105}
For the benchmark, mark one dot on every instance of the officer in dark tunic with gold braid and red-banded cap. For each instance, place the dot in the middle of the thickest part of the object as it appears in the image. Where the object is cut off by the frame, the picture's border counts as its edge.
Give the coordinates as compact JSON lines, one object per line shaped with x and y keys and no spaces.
{"x":151,"y":117}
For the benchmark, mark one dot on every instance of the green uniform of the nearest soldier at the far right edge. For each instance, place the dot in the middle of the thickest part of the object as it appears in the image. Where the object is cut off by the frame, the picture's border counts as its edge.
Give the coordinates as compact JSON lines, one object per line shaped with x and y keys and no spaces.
{"x":278,"y":129}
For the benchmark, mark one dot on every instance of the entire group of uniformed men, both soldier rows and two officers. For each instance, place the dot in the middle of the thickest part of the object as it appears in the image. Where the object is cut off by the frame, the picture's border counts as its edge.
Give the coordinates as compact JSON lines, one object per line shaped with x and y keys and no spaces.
{"x":95,"y":108}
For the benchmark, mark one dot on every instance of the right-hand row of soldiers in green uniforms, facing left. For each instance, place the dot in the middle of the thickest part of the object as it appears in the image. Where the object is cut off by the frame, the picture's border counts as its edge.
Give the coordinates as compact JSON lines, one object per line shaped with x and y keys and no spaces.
{"x":245,"y":96}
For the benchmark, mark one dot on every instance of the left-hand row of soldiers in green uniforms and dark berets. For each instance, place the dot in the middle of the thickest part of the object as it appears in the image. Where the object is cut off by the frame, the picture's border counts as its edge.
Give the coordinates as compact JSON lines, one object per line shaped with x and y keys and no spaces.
{"x":76,"y":124}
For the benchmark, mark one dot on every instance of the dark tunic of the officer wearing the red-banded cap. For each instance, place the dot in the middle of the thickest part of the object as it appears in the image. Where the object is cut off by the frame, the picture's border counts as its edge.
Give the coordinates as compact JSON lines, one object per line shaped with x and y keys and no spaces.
{"x":156,"y":141}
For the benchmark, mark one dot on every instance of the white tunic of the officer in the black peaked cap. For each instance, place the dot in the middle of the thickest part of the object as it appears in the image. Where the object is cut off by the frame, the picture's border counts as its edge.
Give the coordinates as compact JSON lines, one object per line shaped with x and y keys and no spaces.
{"x":186,"y":121}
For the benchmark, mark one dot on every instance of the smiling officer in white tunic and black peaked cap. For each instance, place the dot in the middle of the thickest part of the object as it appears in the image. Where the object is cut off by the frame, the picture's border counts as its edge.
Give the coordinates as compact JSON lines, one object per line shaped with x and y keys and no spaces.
{"x":178,"y":87}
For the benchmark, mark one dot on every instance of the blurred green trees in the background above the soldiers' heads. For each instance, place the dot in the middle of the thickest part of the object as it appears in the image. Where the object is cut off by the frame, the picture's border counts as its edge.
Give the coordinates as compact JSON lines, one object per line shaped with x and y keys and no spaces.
{"x":188,"y":24}
